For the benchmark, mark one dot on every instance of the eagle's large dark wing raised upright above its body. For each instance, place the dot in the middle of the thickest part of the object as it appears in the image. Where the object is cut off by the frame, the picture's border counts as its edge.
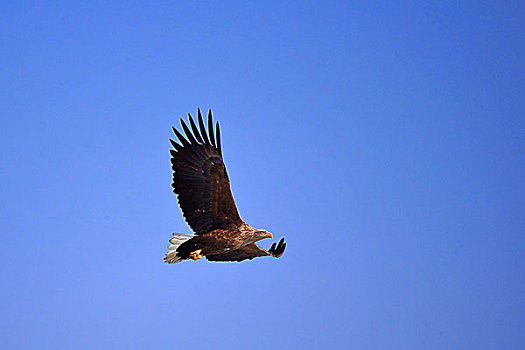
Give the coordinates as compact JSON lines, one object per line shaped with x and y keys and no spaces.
{"x":200,"y":179}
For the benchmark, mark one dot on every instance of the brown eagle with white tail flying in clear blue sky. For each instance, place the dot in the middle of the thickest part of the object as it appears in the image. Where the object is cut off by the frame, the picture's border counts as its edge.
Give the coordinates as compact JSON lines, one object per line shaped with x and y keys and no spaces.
{"x":202,"y":186}
